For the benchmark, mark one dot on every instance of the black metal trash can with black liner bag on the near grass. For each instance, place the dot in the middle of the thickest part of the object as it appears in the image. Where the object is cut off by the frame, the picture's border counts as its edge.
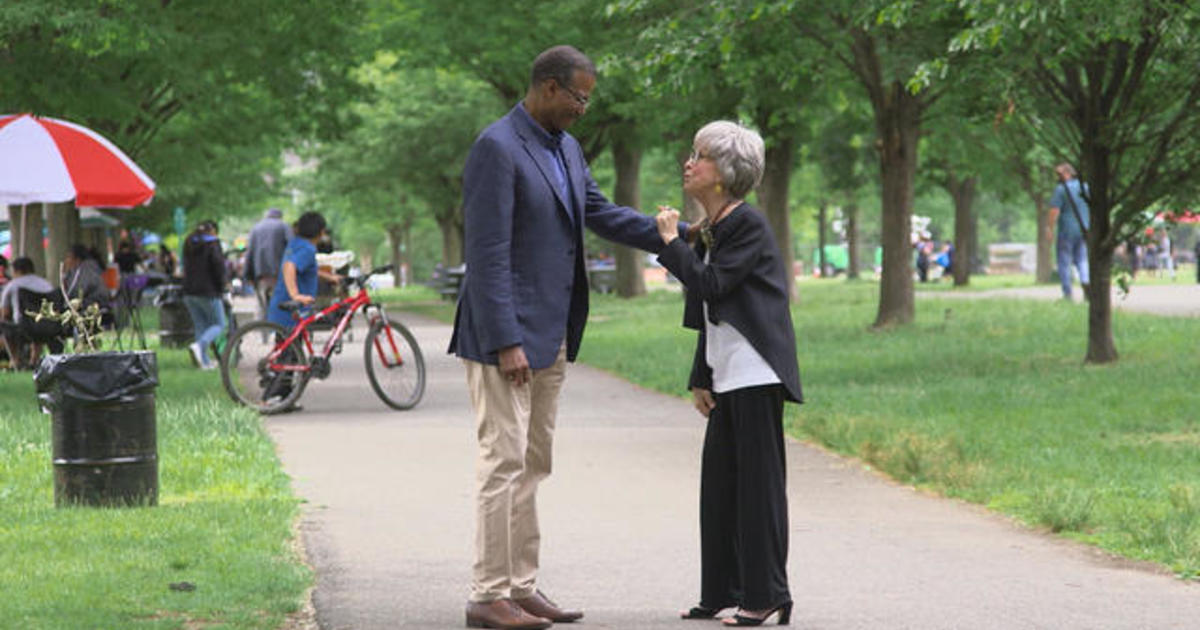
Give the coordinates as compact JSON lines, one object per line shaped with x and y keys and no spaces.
{"x":104,"y":428}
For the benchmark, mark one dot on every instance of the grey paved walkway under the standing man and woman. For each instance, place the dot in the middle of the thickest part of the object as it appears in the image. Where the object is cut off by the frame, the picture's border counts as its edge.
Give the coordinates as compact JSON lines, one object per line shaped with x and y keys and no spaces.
{"x":389,"y":524}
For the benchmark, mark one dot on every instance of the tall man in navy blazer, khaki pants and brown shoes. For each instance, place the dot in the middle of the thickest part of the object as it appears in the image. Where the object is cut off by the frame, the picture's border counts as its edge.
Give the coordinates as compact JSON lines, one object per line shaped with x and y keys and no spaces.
{"x":527,"y":196}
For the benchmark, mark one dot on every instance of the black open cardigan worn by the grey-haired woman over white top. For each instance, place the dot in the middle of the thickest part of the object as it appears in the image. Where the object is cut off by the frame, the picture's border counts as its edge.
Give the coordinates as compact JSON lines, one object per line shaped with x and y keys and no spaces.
{"x":746,"y":286}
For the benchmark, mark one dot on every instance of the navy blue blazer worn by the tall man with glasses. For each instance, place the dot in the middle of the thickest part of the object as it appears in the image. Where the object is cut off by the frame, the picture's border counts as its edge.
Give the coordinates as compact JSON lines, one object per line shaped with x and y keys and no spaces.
{"x":526,"y":280}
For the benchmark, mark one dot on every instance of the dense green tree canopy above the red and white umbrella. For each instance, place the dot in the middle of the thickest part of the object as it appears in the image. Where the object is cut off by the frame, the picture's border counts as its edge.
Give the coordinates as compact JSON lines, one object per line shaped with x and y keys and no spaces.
{"x":202,"y":95}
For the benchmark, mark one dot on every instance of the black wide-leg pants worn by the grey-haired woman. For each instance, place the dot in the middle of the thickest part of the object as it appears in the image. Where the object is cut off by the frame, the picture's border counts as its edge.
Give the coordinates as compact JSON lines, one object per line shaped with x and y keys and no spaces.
{"x":743,"y":502}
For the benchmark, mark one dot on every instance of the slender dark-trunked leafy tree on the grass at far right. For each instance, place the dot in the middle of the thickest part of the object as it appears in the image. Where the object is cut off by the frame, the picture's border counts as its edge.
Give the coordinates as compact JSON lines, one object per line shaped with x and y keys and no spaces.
{"x":1113,"y":89}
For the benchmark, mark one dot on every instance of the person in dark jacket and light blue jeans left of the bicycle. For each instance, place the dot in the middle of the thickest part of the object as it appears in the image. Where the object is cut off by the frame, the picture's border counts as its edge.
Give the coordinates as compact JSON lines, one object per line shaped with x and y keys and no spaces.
{"x":205,"y":280}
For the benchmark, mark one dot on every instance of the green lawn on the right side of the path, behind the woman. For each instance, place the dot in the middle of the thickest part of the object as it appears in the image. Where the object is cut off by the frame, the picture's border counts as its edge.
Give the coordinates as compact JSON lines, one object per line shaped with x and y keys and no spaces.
{"x":985,"y":400}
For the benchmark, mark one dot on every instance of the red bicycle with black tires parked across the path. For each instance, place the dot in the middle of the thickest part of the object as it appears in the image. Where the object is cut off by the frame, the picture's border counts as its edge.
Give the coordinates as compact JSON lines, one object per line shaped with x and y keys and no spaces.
{"x":267,"y":368}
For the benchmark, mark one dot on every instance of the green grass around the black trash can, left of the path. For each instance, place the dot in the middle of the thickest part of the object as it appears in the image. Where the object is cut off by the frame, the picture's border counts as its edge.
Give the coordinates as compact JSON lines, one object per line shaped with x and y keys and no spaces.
{"x":224,"y":524}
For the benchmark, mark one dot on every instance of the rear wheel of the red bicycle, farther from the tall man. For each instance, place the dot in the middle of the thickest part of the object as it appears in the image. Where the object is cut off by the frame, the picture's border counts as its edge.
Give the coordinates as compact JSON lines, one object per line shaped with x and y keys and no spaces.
{"x":251,"y":381}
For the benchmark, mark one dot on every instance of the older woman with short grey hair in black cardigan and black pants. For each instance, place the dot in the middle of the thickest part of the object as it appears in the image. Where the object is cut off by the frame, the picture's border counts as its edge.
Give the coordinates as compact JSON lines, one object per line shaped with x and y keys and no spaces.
{"x":743,"y":371}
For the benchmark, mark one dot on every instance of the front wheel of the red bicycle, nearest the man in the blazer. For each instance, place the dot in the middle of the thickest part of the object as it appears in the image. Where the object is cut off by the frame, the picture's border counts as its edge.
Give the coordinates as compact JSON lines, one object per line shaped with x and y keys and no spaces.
{"x":395,"y":367}
